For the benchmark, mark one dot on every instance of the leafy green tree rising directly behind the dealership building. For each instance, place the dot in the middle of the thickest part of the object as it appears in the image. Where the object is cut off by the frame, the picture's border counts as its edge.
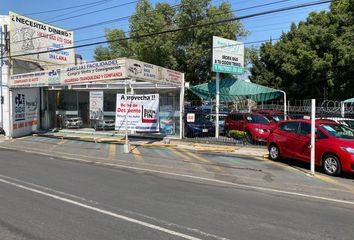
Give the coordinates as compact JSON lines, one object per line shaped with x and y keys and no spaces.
{"x":187,"y":51}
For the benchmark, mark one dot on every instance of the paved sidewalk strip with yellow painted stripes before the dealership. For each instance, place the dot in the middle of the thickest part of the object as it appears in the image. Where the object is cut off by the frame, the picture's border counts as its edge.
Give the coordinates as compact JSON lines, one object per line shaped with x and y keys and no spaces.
{"x":244,"y":166}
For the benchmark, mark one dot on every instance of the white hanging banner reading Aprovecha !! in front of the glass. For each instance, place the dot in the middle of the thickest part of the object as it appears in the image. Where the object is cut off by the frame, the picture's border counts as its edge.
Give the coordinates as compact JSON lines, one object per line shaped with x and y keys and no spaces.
{"x":140,"y":112}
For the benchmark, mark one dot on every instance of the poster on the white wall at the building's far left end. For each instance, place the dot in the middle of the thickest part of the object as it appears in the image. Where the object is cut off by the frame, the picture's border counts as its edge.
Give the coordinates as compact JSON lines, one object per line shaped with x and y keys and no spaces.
{"x":25,"y":111}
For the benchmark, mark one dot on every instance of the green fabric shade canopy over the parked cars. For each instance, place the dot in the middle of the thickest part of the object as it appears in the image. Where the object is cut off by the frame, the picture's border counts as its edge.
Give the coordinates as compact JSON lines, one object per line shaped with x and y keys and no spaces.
{"x":232,"y":90}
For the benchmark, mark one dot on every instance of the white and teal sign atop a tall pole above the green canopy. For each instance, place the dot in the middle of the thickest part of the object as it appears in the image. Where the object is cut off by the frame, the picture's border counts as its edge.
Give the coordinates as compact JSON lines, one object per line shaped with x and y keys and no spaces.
{"x":228,"y":56}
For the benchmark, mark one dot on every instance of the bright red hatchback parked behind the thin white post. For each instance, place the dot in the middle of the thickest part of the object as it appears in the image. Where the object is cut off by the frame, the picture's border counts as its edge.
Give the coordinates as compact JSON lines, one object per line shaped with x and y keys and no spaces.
{"x":334,"y":149}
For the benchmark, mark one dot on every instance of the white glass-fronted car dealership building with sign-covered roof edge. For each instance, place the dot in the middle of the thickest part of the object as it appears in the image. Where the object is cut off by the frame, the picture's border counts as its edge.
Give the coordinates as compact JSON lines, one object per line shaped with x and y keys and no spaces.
{"x":51,"y":95}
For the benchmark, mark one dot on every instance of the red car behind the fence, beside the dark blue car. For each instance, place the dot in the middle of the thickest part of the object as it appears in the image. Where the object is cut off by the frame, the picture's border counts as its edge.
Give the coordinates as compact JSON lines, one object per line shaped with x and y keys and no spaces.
{"x":256,"y":126}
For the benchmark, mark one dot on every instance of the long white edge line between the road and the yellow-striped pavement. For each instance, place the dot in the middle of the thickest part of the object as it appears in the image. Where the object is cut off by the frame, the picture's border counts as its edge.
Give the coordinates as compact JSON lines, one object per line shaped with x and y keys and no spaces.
{"x":263,"y":189}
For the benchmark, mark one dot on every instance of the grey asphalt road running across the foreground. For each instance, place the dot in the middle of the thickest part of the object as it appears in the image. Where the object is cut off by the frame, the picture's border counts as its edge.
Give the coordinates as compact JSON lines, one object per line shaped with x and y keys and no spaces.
{"x":47,"y":198}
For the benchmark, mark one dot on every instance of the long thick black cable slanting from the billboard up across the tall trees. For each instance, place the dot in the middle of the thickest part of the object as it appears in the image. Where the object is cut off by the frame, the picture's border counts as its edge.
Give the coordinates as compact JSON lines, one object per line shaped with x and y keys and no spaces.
{"x":184,"y":28}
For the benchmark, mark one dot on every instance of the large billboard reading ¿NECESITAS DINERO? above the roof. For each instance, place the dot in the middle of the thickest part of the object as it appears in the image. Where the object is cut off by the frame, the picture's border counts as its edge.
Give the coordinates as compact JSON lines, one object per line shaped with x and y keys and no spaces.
{"x":29,"y":36}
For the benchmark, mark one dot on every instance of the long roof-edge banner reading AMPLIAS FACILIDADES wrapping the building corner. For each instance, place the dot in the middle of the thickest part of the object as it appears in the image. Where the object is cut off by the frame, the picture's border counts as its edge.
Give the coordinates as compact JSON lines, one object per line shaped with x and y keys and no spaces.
{"x":115,"y":69}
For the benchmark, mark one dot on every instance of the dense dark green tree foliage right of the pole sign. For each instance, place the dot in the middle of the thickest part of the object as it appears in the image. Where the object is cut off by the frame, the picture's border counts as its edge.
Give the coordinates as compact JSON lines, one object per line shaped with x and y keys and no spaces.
{"x":315,"y":55}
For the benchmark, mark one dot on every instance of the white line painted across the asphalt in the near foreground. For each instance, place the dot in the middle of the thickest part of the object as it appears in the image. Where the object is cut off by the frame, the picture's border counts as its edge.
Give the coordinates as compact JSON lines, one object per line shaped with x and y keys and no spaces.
{"x":125,"y":218}
